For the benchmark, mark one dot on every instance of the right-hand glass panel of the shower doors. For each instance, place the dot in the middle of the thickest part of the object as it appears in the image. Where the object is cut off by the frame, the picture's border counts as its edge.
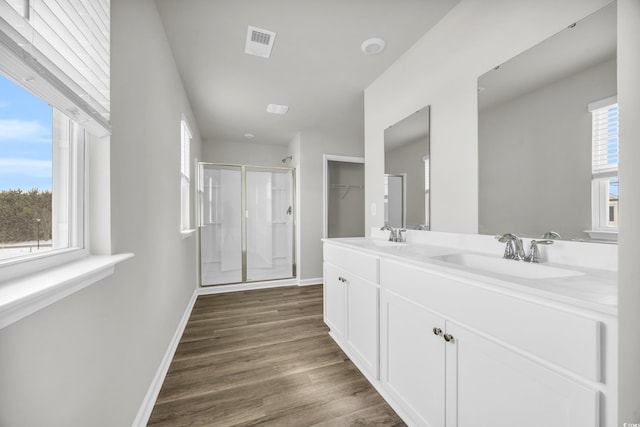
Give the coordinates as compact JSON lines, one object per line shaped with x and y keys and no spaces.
{"x":269,"y":224}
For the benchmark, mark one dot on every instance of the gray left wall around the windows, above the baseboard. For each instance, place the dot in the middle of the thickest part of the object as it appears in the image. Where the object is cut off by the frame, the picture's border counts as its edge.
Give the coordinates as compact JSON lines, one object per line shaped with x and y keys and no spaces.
{"x":89,"y":359}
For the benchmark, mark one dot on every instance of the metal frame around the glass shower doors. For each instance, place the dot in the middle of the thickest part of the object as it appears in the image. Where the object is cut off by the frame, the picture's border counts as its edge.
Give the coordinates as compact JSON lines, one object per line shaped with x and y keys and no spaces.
{"x":244,"y":213}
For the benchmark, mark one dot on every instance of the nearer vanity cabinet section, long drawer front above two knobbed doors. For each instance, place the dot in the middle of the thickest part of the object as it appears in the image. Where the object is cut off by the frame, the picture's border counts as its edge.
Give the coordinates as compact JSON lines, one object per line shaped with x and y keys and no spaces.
{"x":455,"y":354}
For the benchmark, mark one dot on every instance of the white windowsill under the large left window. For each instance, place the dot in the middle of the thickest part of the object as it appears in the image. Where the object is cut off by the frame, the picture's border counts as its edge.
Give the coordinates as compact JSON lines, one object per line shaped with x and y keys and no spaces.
{"x":25,"y":295}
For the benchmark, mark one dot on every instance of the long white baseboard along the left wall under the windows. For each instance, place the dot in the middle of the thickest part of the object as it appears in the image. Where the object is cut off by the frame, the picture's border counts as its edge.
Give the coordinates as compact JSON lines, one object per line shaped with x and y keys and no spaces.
{"x":144,"y":413}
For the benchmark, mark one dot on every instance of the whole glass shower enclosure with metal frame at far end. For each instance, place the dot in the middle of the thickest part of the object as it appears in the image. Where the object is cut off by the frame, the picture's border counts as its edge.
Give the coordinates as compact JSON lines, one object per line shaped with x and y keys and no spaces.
{"x":246,"y":223}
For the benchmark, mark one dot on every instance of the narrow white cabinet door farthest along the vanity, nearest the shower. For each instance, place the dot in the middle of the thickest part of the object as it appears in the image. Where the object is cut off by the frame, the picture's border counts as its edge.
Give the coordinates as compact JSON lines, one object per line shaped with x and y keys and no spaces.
{"x":335,"y":301}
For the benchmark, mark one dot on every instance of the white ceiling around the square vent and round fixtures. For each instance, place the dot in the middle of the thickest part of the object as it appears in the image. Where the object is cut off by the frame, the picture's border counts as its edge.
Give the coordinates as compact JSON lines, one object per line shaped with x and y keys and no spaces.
{"x":316,"y":67}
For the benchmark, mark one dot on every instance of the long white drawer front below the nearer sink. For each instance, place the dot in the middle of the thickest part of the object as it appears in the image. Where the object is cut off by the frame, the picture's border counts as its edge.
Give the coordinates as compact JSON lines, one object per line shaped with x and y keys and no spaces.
{"x":565,"y":339}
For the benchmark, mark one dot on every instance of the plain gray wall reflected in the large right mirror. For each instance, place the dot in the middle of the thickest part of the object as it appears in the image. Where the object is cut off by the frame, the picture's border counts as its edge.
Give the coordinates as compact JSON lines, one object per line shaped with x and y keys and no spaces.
{"x":535,"y":157}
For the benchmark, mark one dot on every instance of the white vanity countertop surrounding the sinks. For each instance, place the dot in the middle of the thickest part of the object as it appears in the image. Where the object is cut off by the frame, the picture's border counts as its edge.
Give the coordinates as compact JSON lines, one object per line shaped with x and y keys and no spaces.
{"x":594,"y":289}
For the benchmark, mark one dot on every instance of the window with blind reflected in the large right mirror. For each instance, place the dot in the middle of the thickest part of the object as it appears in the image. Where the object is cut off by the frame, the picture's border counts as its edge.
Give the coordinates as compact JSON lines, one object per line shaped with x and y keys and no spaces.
{"x":605,"y":153}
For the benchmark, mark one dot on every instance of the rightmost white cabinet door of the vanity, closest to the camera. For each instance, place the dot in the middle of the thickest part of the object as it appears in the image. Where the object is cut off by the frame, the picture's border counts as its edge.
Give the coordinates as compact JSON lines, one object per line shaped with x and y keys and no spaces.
{"x":491,"y":385}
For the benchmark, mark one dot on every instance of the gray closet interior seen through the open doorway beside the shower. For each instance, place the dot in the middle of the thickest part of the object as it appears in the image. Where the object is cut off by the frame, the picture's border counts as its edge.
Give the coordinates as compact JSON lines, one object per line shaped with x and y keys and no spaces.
{"x":346,"y":207}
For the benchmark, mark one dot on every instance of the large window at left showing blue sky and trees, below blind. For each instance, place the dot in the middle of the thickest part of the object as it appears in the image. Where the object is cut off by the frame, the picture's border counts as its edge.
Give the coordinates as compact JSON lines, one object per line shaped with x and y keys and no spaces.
{"x":41,"y":177}
